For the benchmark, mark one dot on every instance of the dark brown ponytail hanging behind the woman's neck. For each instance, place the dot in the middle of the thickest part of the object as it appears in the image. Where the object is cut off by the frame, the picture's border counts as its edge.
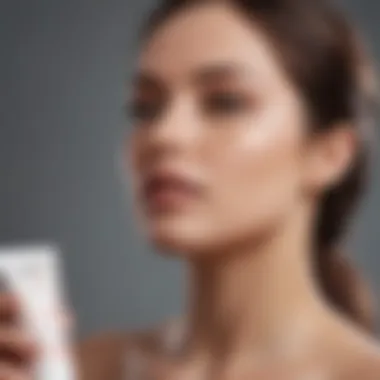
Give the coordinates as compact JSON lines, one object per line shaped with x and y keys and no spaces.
{"x":340,"y":281}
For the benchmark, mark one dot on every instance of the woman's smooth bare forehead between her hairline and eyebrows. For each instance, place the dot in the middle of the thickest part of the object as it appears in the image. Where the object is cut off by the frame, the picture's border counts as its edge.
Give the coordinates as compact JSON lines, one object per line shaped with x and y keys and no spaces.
{"x":207,"y":35}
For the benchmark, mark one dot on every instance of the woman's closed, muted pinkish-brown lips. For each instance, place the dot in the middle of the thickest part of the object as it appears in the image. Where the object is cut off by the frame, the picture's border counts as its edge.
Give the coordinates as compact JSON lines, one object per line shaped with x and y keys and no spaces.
{"x":168,"y":189}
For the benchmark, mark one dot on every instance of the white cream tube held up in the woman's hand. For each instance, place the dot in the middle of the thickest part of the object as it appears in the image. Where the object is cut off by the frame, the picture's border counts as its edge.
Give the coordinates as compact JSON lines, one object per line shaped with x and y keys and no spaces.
{"x":33,"y":274}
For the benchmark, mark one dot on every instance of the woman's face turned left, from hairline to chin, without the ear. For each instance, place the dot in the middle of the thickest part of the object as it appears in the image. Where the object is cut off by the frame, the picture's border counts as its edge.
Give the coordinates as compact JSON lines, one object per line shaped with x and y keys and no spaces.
{"x":217,"y":146}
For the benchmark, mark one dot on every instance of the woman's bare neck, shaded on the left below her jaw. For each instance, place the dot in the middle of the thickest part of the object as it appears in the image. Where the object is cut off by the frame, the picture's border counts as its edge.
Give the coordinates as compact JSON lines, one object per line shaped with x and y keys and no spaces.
{"x":256,"y":297}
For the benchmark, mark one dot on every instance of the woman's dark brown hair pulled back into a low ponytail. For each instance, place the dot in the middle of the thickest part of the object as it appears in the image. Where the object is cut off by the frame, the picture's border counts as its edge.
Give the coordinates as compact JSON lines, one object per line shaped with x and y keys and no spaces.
{"x":322,"y":55}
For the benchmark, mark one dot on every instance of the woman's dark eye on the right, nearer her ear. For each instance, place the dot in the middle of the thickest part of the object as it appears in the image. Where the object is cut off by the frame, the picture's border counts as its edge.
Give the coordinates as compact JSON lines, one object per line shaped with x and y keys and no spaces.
{"x":226,"y":103}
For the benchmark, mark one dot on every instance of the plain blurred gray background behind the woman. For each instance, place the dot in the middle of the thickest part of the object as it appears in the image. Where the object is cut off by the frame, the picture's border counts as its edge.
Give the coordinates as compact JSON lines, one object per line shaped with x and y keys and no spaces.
{"x":62,"y":73}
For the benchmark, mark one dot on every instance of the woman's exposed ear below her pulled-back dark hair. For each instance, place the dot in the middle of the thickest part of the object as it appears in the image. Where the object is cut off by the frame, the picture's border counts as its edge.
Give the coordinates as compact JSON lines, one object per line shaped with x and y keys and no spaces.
{"x":329,"y":156}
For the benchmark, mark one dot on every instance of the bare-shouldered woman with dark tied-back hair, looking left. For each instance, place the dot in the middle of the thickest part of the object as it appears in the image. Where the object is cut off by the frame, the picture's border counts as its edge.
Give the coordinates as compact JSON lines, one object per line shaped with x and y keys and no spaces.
{"x":248,"y":155}
